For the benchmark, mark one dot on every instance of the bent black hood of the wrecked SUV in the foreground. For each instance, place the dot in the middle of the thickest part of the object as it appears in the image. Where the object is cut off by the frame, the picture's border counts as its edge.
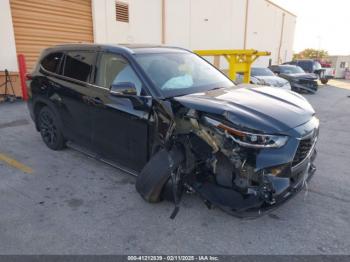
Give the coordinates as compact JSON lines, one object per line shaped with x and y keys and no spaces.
{"x":264,"y":109}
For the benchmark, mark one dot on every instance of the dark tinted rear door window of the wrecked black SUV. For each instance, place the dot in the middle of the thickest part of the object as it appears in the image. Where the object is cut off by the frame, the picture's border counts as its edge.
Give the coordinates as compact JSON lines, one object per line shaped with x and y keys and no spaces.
{"x":79,"y":65}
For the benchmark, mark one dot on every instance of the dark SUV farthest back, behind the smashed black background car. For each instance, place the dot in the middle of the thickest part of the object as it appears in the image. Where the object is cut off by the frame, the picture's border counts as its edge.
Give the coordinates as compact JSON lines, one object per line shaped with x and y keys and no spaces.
{"x":313,"y":66}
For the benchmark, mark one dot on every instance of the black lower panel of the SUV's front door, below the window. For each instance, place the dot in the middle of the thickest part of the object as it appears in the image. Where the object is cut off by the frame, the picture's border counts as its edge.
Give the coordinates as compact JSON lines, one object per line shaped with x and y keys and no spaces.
{"x":115,"y":119}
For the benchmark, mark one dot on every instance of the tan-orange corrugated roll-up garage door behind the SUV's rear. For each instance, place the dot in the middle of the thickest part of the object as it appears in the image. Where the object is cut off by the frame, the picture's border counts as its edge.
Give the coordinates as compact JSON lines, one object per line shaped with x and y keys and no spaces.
{"x":39,"y":24}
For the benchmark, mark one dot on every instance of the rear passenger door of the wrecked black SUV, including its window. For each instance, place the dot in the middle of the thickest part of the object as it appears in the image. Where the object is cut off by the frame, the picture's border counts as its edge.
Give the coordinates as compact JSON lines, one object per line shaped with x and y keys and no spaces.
{"x":73,"y":93}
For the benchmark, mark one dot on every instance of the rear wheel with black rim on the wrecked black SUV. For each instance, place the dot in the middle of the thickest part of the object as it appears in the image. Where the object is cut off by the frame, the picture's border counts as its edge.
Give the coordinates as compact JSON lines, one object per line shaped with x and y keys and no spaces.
{"x":49,"y":129}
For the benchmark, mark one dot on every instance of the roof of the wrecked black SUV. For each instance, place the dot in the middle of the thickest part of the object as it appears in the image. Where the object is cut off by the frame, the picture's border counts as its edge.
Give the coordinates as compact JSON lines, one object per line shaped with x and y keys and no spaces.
{"x":128,"y":48}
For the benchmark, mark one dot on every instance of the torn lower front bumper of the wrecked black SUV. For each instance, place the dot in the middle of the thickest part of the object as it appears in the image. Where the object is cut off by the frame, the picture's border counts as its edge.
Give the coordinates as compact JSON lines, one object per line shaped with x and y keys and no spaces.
{"x":267,"y":197}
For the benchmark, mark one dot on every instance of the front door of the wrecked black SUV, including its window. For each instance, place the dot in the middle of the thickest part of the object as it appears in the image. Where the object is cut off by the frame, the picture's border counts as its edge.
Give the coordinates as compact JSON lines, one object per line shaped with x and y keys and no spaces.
{"x":120,"y":132}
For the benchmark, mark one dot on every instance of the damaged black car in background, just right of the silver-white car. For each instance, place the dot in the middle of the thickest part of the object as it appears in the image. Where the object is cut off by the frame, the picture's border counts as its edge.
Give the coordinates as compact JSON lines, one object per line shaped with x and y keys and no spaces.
{"x":298,"y":79}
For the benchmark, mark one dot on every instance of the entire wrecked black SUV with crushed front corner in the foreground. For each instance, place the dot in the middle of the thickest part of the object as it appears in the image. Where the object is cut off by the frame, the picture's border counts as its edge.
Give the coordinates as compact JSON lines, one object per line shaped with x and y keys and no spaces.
{"x":176,"y":122}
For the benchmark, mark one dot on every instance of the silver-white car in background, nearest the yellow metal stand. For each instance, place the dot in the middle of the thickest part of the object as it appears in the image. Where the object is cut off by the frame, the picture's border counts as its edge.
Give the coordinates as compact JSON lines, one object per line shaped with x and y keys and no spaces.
{"x":264,"y":76}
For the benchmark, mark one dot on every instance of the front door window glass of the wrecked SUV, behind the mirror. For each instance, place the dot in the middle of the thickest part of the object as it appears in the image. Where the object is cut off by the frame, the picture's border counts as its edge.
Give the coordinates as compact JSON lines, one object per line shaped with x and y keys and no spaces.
{"x":115,"y":69}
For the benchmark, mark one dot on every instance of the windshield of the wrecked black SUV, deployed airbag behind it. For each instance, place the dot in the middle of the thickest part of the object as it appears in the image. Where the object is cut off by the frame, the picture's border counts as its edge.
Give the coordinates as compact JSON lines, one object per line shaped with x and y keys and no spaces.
{"x":176,"y":74}
